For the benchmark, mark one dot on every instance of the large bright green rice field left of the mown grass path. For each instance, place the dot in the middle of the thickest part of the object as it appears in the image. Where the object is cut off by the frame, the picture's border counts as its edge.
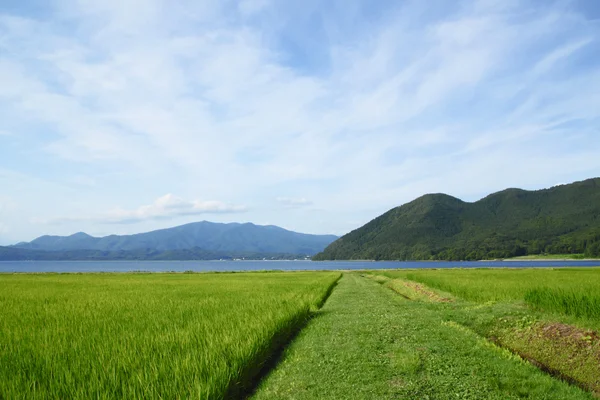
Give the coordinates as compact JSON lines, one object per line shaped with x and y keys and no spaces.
{"x":200,"y":336}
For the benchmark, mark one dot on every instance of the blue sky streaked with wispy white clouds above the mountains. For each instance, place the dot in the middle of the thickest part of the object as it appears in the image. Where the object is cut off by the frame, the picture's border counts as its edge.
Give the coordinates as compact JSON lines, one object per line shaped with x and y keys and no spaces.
{"x":124,"y":116}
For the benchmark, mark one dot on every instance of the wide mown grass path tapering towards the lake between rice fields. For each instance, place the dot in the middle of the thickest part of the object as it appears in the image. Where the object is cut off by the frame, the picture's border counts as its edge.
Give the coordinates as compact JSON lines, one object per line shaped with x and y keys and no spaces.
{"x":368,"y":342}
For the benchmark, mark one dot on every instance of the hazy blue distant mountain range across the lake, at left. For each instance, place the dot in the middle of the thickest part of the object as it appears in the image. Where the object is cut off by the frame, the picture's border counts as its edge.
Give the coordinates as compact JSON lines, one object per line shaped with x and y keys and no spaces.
{"x":215,"y":238}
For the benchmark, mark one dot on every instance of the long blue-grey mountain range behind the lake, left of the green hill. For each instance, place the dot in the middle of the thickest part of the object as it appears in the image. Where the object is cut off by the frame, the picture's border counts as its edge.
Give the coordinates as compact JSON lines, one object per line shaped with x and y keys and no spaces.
{"x":200,"y":240}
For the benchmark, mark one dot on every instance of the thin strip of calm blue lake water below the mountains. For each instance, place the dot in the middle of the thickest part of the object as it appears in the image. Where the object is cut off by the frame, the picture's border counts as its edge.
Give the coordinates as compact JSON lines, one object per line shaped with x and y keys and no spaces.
{"x":206,"y":266}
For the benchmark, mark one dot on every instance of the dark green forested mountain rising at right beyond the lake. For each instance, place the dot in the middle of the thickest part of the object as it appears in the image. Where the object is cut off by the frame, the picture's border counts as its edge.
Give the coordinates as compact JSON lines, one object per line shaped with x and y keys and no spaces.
{"x":561,"y":220}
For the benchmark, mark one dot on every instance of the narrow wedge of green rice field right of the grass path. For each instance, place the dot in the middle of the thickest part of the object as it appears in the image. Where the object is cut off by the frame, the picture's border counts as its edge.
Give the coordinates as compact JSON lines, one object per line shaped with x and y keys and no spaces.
{"x":569,"y":291}
